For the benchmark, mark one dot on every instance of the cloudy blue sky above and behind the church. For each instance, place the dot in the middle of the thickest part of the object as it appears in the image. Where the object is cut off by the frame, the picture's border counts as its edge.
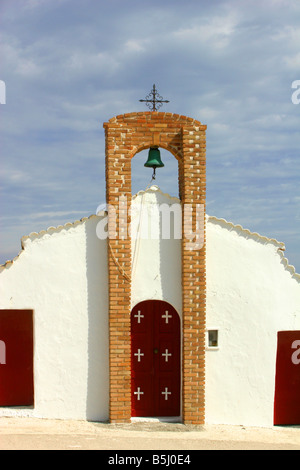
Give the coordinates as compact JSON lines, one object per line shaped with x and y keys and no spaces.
{"x":70,"y":65}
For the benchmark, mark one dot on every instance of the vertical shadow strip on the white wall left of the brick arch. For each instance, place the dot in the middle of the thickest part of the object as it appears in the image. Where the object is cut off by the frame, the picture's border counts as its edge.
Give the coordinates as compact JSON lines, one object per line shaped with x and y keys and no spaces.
{"x":97,"y":401}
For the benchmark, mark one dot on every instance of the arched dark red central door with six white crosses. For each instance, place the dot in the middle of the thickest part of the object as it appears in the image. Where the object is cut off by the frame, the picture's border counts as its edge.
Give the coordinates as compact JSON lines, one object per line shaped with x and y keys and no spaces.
{"x":155,"y":359}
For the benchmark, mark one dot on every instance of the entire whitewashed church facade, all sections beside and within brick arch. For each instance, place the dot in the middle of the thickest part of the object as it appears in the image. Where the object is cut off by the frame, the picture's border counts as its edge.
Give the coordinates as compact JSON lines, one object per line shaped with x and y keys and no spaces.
{"x":62,"y":274}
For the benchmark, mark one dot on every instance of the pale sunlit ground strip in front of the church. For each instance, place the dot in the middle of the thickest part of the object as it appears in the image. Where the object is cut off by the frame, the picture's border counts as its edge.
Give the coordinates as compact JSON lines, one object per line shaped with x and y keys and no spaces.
{"x":41,"y":434}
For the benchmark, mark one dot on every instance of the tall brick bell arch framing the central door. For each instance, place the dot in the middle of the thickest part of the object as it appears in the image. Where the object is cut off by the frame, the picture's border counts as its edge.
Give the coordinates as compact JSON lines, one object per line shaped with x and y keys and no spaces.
{"x":184,"y":137}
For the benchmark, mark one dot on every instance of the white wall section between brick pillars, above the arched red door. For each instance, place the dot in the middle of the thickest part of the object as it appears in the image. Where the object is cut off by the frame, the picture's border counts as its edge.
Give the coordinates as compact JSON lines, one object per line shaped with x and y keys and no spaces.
{"x":156,"y":261}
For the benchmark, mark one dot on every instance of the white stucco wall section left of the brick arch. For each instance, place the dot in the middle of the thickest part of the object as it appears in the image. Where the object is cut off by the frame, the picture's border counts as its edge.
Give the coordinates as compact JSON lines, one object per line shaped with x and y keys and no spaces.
{"x":62,"y":275}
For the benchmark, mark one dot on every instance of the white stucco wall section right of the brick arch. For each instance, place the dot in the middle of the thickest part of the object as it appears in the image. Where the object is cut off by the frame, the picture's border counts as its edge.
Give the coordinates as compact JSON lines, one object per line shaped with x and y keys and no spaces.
{"x":251,"y":295}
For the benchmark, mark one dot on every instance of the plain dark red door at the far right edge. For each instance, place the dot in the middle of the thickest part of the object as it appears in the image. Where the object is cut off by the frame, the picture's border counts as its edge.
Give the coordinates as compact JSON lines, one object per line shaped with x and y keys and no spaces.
{"x":287,"y":381}
